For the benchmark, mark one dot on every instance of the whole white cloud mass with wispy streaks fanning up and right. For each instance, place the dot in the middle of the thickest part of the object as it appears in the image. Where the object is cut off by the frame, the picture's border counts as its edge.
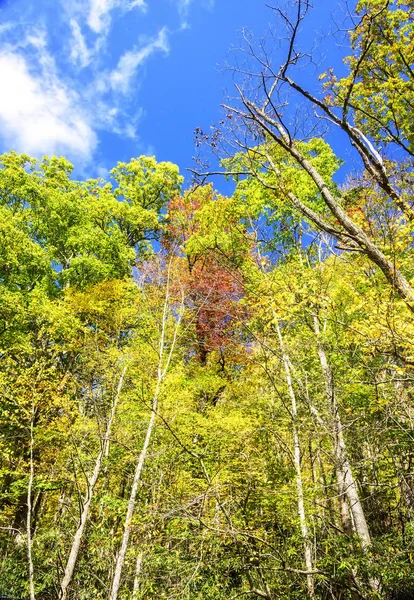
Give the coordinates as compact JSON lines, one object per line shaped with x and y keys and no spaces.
{"x":42,"y":112}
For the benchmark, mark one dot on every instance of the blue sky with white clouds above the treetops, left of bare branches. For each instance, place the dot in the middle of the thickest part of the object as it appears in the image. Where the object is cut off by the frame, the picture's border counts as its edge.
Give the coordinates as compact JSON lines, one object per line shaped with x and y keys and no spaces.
{"x":100,"y":81}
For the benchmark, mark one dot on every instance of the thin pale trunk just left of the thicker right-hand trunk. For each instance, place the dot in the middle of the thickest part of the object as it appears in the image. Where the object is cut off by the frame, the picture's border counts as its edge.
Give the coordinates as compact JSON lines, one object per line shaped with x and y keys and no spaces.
{"x":307,"y":547}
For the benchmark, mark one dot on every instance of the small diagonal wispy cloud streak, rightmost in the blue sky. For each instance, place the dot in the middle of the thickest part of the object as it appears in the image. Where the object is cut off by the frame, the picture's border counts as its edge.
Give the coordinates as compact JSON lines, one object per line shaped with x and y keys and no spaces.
{"x":128,"y":64}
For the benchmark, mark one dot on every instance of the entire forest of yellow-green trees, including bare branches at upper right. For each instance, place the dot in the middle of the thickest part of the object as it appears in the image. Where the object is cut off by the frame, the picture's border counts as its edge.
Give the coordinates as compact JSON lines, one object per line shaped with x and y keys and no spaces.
{"x":210,"y":397}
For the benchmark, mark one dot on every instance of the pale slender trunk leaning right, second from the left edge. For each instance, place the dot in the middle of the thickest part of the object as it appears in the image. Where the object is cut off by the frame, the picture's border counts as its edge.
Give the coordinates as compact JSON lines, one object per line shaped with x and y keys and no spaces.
{"x":71,"y":563}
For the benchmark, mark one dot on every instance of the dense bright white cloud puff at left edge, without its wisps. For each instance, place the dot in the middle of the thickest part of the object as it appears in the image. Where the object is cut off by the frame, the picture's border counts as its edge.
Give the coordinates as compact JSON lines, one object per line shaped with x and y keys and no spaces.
{"x":38,"y":114}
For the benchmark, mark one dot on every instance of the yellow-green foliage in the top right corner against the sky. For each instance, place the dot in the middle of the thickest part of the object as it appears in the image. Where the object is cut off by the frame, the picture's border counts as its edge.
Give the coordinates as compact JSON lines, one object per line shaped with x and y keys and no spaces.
{"x":379,"y":87}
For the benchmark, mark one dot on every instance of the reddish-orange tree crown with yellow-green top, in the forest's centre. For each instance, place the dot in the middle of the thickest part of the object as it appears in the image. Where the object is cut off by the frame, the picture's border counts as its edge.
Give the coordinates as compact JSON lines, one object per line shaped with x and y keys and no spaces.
{"x":206,"y":228}
